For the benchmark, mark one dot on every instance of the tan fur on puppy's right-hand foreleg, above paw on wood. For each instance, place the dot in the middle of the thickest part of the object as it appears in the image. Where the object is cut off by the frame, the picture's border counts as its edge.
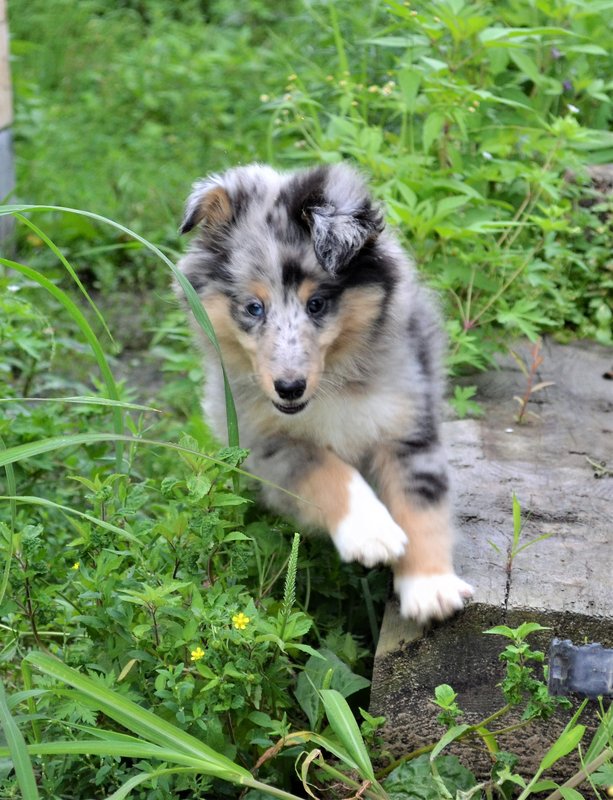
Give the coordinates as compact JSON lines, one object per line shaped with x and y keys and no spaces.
{"x":428,"y":527}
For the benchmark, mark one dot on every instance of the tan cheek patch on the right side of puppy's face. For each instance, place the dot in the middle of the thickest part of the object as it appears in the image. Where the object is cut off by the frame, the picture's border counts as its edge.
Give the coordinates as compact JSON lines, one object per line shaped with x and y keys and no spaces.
{"x":359,"y":309}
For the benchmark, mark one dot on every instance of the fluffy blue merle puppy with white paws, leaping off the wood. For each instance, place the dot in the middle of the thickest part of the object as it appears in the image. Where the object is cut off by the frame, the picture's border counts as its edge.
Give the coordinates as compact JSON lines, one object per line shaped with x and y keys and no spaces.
{"x":333,"y":352}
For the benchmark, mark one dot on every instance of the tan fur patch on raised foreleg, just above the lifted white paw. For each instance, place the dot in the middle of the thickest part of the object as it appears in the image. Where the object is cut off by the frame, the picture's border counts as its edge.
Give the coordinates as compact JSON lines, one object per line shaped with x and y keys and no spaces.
{"x":326,"y":488}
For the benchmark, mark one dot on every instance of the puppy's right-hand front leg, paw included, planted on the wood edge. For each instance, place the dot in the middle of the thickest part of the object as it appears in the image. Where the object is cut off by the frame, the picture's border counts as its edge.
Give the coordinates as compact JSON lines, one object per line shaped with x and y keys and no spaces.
{"x":413,"y":481}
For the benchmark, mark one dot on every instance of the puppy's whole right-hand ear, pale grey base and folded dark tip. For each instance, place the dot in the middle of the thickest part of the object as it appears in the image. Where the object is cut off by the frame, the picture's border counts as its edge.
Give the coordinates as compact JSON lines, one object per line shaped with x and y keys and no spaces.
{"x":344,"y":222}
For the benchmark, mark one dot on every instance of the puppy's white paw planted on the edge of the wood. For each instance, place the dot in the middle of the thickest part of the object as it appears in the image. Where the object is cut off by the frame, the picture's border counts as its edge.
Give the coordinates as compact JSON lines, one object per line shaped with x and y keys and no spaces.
{"x":425,"y":597}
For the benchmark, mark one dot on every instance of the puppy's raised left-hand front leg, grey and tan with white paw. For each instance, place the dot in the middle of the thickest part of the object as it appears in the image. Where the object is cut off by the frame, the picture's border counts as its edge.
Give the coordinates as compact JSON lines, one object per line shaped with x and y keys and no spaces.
{"x":335,"y":497}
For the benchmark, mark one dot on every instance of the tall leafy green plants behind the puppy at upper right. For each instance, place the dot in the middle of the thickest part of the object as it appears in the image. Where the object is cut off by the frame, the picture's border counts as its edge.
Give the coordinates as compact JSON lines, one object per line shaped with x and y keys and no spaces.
{"x":469,"y":118}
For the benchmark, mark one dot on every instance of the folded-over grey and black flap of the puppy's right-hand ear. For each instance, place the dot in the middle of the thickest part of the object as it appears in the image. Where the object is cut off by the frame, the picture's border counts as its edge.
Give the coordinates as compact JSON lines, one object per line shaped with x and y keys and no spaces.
{"x":339,"y":236}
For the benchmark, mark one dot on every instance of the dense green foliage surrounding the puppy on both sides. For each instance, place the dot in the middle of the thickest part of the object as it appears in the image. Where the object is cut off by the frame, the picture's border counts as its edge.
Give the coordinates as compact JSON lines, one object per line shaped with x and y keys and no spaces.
{"x":150,"y":565}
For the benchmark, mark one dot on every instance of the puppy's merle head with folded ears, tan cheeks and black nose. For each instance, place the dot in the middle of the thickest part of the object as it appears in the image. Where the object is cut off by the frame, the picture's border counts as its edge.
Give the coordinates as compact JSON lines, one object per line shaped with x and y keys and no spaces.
{"x":291,"y":274}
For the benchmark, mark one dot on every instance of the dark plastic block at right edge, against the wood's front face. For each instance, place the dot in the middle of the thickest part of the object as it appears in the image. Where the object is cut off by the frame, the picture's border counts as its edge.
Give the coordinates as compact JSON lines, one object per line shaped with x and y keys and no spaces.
{"x":586,"y":670}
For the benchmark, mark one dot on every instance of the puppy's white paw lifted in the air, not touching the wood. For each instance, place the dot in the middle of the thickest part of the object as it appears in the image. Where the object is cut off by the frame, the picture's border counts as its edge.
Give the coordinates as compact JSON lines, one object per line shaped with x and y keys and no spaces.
{"x":368,"y":533}
